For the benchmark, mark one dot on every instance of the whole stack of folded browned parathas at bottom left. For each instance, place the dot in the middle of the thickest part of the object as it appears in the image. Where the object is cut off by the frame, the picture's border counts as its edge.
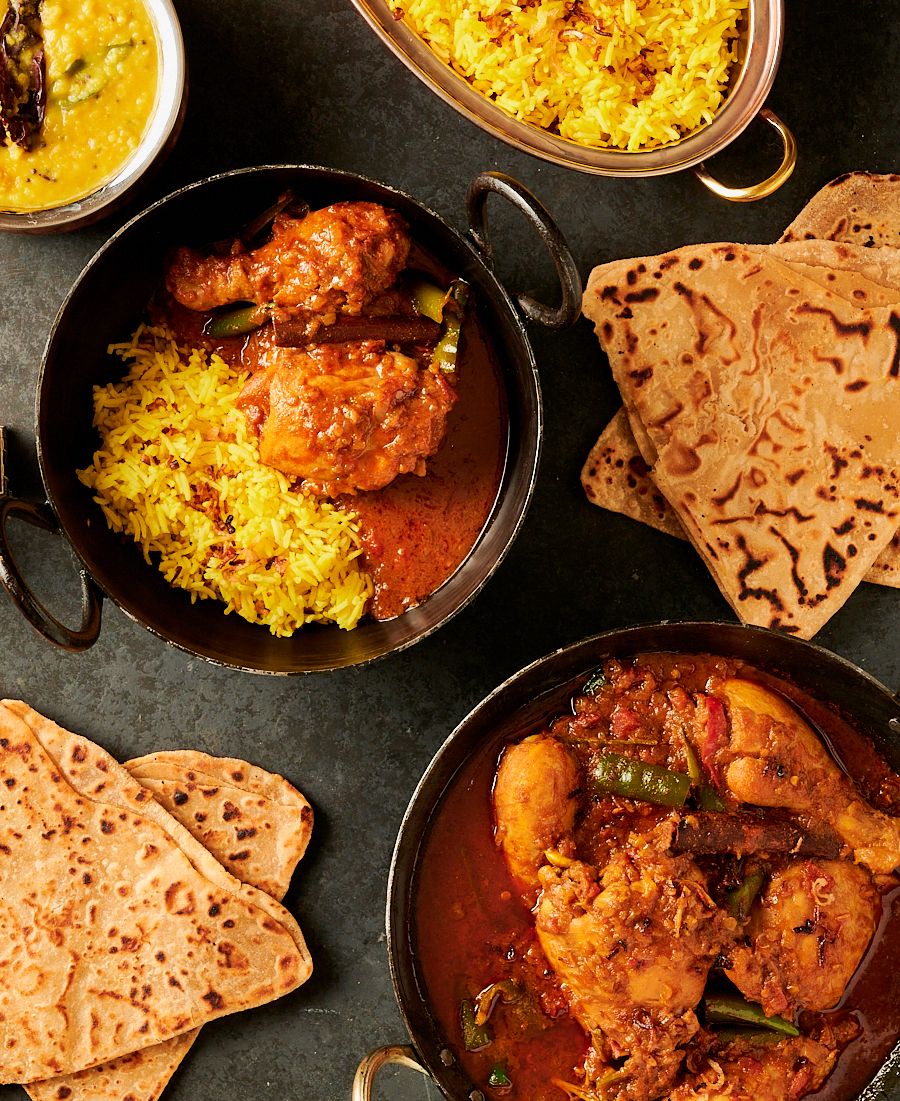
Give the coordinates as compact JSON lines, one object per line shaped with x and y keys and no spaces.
{"x":121,"y":933}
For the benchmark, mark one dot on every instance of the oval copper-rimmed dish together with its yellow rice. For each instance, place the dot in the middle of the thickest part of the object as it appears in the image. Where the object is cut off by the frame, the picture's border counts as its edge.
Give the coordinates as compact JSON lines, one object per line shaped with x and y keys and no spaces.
{"x":613,"y":88}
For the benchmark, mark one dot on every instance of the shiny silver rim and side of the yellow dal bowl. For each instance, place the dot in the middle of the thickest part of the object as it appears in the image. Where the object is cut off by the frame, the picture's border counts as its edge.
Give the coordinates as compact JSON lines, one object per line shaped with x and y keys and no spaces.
{"x":156,"y":145}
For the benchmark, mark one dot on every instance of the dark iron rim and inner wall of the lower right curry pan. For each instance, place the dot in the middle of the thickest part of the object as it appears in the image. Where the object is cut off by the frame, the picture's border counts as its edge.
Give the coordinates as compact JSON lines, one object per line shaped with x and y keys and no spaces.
{"x":544,"y":690}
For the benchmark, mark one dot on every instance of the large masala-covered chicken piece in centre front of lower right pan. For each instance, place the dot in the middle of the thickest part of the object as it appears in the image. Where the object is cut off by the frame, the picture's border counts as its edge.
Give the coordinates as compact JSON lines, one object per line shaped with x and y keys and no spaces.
{"x":633,"y":947}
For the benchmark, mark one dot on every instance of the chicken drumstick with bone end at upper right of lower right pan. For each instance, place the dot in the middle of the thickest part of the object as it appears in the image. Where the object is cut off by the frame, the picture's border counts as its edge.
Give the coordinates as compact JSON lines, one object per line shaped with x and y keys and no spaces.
{"x":774,"y":759}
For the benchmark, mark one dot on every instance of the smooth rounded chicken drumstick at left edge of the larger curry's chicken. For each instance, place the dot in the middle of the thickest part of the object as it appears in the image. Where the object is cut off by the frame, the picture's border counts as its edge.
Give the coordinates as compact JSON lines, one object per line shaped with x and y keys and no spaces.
{"x":536,"y":800}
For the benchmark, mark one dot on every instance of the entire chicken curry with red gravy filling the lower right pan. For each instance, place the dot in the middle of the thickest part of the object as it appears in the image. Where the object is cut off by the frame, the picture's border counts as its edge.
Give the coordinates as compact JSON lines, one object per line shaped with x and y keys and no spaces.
{"x":674,"y":891}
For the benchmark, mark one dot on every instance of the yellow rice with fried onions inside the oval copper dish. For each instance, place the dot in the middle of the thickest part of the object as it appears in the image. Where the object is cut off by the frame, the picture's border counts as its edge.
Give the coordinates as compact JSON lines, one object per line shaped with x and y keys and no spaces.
{"x":626,"y":74}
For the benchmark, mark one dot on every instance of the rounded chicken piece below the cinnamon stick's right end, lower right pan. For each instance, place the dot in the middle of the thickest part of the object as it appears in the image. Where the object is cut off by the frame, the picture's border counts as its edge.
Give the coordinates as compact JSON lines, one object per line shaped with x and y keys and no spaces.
{"x":808,"y":934}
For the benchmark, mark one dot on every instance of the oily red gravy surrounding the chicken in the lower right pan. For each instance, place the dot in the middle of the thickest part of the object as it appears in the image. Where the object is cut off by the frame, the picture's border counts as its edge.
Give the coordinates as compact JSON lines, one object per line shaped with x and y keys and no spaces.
{"x":471,"y":929}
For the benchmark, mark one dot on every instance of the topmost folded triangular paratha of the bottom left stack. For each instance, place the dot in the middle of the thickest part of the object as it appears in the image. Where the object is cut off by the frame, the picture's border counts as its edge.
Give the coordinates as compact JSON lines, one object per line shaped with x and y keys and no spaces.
{"x":121,"y":931}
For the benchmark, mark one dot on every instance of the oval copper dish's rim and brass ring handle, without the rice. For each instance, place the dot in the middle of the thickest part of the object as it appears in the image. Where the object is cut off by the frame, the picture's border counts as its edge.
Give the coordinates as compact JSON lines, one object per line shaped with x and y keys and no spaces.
{"x":762,"y":41}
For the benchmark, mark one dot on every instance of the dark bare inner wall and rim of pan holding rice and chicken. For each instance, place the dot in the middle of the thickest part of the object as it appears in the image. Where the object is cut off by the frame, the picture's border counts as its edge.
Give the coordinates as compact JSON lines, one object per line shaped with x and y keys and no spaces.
{"x":106,"y":306}
